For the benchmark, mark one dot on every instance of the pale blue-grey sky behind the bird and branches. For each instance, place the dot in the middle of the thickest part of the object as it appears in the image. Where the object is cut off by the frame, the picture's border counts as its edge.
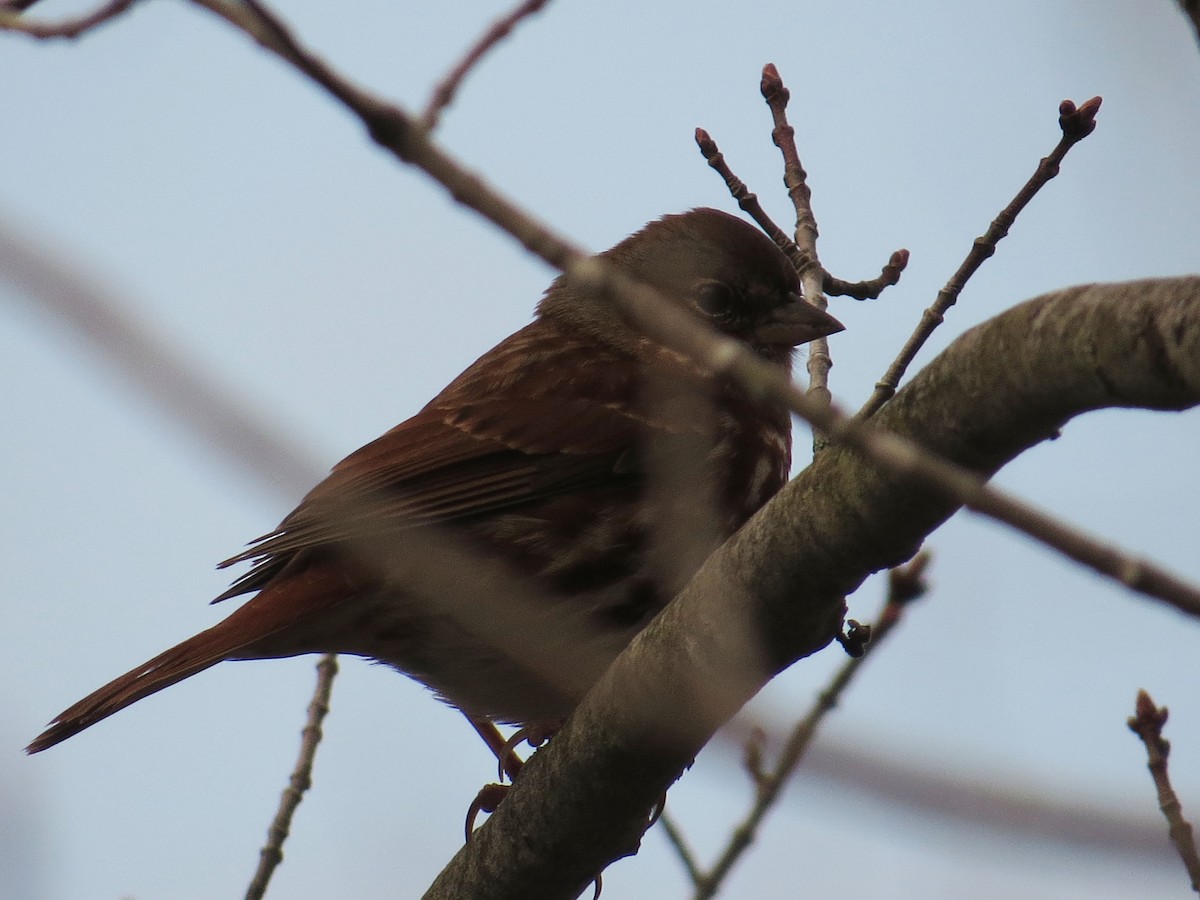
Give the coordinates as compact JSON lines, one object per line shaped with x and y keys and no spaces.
{"x":248,"y":224}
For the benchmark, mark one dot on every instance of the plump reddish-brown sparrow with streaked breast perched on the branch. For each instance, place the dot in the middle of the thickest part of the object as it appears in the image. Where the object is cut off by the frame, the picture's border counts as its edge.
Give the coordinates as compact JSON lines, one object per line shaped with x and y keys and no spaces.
{"x":505,"y":544}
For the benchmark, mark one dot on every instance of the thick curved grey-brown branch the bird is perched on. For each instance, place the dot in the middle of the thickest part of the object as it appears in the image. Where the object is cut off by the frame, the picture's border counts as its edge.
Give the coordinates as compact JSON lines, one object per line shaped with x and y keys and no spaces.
{"x":773,"y":593}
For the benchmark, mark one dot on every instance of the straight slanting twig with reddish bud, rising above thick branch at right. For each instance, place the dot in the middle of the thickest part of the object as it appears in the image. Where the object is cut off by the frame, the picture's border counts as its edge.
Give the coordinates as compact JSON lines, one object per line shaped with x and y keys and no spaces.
{"x":1076,"y":124}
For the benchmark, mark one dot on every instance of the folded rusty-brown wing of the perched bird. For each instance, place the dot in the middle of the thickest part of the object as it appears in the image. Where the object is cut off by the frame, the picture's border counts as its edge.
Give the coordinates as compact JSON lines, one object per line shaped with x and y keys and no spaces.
{"x":544,"y":413}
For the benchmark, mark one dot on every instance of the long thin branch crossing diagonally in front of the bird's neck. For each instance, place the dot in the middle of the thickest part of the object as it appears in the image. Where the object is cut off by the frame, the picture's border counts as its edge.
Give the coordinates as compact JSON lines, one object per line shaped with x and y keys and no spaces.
{"x":395,"y":130}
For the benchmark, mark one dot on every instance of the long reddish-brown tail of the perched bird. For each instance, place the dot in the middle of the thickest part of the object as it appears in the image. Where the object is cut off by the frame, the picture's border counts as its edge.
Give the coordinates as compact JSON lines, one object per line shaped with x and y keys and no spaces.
{"x":277,"y":608}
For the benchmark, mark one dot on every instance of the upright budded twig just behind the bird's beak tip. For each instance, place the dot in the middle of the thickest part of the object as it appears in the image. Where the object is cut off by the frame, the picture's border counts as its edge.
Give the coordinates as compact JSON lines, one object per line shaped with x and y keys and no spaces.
{"x":820,"y":362}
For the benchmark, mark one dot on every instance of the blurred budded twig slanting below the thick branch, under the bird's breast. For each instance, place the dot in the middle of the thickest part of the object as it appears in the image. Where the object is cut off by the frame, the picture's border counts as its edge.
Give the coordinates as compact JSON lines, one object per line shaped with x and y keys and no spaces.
{"x":905,"y":585}
